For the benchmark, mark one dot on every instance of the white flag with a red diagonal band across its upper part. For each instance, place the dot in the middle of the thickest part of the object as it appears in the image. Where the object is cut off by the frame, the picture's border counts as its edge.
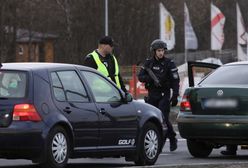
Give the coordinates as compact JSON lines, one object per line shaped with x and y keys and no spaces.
{"x":217,"y":26}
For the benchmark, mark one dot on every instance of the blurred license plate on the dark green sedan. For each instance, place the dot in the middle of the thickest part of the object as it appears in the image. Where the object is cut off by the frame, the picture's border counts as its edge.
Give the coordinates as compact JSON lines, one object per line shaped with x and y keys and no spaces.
{"x":221,"y":103}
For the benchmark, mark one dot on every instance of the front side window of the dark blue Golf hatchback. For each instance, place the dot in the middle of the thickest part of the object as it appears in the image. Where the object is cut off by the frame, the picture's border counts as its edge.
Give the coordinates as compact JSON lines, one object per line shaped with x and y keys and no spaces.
{"x":102,"y":89}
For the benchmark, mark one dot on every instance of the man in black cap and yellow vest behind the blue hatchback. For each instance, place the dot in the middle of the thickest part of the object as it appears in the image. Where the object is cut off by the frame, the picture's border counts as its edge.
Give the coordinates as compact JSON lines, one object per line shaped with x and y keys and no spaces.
{"x":104,"y":61}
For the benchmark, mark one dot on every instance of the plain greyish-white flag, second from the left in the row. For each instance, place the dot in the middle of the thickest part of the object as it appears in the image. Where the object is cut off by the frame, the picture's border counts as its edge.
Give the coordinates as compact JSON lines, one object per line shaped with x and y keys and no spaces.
{"x":190,"y":37}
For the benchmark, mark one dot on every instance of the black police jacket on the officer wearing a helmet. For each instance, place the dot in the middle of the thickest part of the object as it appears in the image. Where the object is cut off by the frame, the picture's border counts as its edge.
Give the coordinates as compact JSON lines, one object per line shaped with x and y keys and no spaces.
{"x":165,"y":70}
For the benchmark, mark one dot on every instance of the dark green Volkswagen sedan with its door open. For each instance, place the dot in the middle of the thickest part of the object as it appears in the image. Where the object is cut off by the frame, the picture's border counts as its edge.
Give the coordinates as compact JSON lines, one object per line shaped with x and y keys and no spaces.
{"x":215,"y":111}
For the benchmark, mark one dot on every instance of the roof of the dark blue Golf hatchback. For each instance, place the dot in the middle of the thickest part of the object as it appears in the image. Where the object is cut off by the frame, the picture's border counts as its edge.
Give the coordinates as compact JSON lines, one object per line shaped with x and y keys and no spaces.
{"x":33,"y":66}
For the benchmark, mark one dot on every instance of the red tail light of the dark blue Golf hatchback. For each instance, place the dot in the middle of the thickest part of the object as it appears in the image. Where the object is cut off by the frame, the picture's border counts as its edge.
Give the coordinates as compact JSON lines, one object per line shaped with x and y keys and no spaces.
{"x":25,"y":112}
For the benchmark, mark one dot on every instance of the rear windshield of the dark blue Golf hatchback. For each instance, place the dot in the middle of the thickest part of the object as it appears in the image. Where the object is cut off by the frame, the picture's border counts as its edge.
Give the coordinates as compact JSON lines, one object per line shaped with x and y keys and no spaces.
{"x":12,"y":84}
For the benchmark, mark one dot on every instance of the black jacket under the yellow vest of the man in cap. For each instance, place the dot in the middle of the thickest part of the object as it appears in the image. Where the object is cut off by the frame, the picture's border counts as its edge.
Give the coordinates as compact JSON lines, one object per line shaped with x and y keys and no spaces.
{"x":109,"y":62}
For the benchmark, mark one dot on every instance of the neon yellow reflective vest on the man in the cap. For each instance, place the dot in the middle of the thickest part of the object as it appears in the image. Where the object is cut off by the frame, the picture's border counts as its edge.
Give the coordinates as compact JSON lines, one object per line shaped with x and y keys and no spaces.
{"x":102,"y":68}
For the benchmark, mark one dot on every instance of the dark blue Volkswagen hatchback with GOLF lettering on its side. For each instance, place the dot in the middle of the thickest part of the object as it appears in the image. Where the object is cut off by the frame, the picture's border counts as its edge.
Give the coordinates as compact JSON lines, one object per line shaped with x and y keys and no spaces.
{"x":51,"y":112}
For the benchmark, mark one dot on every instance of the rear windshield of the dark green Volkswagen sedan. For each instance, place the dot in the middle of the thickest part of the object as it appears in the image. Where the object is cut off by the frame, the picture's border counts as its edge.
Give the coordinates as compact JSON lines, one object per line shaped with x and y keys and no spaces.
{"x":228,"y":75}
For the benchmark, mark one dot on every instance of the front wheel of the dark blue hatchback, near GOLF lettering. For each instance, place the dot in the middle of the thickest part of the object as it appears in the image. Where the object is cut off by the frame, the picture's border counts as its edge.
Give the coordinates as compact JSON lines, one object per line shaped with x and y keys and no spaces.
{"x":149,"y":146}
